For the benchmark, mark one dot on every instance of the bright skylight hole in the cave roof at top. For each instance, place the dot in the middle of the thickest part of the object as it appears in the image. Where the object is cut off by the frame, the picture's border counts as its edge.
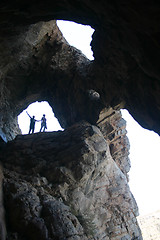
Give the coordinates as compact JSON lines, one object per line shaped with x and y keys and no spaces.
{"x":77,"y":35}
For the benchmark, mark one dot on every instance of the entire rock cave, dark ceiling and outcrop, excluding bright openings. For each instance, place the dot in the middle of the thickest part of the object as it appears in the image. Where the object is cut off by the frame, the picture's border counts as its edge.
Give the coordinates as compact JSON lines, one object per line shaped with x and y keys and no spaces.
{"x":73,"y":184}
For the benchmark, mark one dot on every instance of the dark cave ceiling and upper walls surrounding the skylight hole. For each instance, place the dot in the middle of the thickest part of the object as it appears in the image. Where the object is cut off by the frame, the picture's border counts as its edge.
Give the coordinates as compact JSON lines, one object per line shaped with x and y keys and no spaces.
{"x":36,"y":62}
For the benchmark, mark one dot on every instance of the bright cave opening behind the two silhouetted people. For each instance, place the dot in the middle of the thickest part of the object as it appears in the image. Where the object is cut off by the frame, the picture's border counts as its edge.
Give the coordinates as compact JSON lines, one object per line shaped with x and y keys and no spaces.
{"x":37,"y":109}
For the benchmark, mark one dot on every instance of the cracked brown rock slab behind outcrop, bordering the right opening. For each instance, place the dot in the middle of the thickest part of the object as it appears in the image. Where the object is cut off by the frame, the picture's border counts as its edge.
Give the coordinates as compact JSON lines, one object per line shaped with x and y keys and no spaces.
{"x":113,"y":127}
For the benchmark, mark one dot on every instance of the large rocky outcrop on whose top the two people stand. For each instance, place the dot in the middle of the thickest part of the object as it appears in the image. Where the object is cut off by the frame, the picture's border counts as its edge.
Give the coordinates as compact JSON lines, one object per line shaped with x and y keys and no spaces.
{"x":66,"y":185}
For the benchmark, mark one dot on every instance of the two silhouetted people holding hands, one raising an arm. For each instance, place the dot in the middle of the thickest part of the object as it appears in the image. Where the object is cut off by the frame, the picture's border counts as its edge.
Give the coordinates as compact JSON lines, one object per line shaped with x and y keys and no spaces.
{"x":33,"y":121}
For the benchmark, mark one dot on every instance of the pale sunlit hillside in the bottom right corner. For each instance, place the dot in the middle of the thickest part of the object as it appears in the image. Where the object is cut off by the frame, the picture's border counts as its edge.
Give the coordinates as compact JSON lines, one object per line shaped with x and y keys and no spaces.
{"x":150,"y":226}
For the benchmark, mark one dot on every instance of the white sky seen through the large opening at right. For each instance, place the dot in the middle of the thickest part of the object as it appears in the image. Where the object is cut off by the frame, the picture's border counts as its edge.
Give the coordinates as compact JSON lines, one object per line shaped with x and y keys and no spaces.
{"x":145,"y":164}
